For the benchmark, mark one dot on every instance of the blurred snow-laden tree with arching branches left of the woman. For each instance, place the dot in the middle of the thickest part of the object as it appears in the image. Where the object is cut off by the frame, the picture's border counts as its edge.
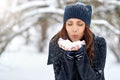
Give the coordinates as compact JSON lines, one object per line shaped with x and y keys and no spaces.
{"x":22,"y":16}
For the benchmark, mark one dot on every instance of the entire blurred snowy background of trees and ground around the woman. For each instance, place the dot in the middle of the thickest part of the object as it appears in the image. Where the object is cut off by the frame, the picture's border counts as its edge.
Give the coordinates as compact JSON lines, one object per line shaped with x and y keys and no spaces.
{"x":26,"y":27}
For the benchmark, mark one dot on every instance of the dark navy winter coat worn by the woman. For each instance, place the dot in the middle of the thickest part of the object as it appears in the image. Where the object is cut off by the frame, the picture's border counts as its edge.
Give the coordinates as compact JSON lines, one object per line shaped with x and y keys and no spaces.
{"x":80,"y":68}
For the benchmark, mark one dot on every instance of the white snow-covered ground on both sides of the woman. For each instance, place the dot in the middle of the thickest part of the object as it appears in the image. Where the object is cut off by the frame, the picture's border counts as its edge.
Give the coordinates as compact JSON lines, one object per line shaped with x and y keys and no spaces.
{"x":24,"y":62}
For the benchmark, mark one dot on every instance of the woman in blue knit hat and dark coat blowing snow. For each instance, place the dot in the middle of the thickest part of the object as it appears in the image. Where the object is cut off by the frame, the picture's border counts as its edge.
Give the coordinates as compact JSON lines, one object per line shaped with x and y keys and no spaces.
{"x":75,"y":52}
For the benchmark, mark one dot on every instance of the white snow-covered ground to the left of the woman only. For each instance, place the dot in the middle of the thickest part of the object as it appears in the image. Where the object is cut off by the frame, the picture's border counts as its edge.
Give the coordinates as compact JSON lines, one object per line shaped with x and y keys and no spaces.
{"x":24,"y":63}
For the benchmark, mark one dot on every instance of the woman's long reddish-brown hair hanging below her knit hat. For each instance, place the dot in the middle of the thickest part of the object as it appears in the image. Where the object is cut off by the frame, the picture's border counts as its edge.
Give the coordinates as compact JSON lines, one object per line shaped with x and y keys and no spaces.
{"x":88,"y":37}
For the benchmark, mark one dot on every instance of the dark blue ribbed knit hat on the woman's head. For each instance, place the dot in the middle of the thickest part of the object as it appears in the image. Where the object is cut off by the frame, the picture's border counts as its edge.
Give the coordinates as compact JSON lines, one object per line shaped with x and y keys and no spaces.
{"x":80,"y":11}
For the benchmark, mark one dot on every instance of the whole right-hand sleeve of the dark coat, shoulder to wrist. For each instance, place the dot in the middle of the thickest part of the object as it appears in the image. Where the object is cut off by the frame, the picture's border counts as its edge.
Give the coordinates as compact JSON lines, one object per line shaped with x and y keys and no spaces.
{"x":86,"y":70}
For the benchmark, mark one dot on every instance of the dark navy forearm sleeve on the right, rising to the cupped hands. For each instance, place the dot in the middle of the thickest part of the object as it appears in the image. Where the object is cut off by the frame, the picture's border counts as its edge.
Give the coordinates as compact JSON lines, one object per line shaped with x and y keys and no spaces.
{"x":86,"y":72}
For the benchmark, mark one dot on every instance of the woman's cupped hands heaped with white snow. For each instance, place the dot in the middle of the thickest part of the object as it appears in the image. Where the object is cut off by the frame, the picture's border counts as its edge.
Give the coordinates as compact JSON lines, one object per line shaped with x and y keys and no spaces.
{"x":70,"y":46}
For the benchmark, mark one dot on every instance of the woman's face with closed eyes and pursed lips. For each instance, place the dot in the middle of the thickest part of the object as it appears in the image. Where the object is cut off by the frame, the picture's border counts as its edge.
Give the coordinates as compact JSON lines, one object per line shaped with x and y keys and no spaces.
{"x":75,"y":28}
